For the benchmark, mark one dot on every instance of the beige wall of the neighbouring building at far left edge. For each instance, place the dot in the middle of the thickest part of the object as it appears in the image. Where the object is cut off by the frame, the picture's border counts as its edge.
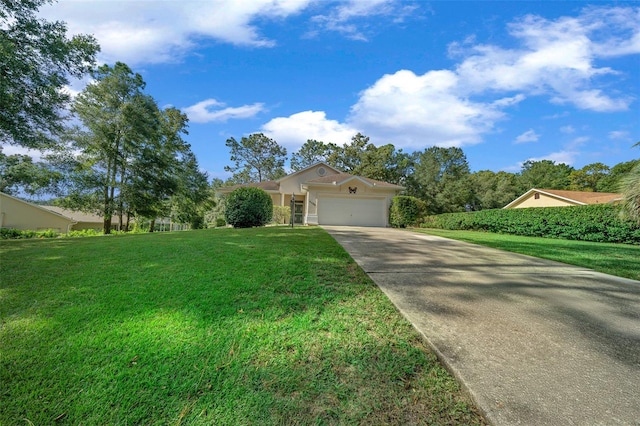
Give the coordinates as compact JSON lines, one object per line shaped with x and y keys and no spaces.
{"x":21,"y":215}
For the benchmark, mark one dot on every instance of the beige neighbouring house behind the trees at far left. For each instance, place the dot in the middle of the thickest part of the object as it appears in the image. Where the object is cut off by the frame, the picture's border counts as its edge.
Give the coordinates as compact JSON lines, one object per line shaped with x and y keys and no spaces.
{"x":18,"y":214}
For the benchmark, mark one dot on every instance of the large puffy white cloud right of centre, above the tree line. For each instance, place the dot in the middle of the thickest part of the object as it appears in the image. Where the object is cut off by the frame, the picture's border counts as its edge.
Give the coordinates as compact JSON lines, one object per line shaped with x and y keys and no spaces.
{"x":414,"y":111}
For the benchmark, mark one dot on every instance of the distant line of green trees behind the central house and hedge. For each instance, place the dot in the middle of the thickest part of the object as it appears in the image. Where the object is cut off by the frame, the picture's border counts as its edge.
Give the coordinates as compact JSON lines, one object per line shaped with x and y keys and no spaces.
{"x":441,"y":177}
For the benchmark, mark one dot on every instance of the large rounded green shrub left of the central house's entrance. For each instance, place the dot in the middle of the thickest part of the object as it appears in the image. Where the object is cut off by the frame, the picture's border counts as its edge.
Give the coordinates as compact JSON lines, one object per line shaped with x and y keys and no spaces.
{"x":247,"y":207}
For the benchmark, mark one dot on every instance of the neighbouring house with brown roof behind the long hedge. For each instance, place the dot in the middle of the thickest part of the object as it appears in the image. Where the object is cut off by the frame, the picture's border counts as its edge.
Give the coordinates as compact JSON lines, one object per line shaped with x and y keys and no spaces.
{"x":561,"y":198}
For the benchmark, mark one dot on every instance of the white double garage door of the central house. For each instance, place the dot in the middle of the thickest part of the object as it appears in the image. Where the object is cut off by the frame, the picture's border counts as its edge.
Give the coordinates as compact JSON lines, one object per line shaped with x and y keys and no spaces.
{"x":352,"y":211}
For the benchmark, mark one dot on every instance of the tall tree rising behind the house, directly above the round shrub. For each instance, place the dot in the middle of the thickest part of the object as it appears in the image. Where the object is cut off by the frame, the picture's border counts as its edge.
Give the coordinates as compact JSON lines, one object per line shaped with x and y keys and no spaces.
{"x":256,"y":158}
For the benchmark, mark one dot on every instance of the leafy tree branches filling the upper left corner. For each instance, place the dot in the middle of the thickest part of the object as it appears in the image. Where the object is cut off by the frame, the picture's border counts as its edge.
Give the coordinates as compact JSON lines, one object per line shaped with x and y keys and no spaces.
{"x":36,"y":61}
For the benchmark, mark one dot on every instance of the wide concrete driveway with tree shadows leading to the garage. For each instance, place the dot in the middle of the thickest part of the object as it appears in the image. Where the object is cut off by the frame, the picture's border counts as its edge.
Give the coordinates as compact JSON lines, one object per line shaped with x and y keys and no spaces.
{"x":534,"y":342}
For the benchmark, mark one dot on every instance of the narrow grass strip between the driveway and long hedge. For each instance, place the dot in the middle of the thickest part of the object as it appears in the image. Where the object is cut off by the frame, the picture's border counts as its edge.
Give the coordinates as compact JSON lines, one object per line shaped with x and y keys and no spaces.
{"x":622,"y":260}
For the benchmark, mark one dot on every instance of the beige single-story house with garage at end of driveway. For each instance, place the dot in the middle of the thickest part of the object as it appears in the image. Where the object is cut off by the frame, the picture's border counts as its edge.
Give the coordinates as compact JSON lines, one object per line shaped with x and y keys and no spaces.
{"x":323,"y":195}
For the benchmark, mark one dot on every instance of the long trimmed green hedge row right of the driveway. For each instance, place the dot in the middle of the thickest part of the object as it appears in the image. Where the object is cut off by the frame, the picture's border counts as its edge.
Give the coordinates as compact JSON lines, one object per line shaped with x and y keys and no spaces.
{"x":598,"y":223}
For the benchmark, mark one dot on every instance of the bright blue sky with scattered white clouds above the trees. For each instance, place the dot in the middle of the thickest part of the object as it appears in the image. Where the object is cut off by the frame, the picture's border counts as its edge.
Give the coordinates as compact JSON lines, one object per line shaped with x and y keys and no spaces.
{"x":507,"y":81}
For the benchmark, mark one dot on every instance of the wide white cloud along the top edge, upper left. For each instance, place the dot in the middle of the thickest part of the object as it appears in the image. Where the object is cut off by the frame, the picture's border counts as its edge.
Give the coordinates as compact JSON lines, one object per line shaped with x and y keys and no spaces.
{"x":138,"y":32}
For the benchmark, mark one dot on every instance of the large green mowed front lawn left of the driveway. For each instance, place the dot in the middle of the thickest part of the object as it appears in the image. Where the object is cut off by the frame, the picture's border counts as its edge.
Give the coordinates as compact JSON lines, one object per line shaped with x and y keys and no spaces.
{"x":254,"y":326}
